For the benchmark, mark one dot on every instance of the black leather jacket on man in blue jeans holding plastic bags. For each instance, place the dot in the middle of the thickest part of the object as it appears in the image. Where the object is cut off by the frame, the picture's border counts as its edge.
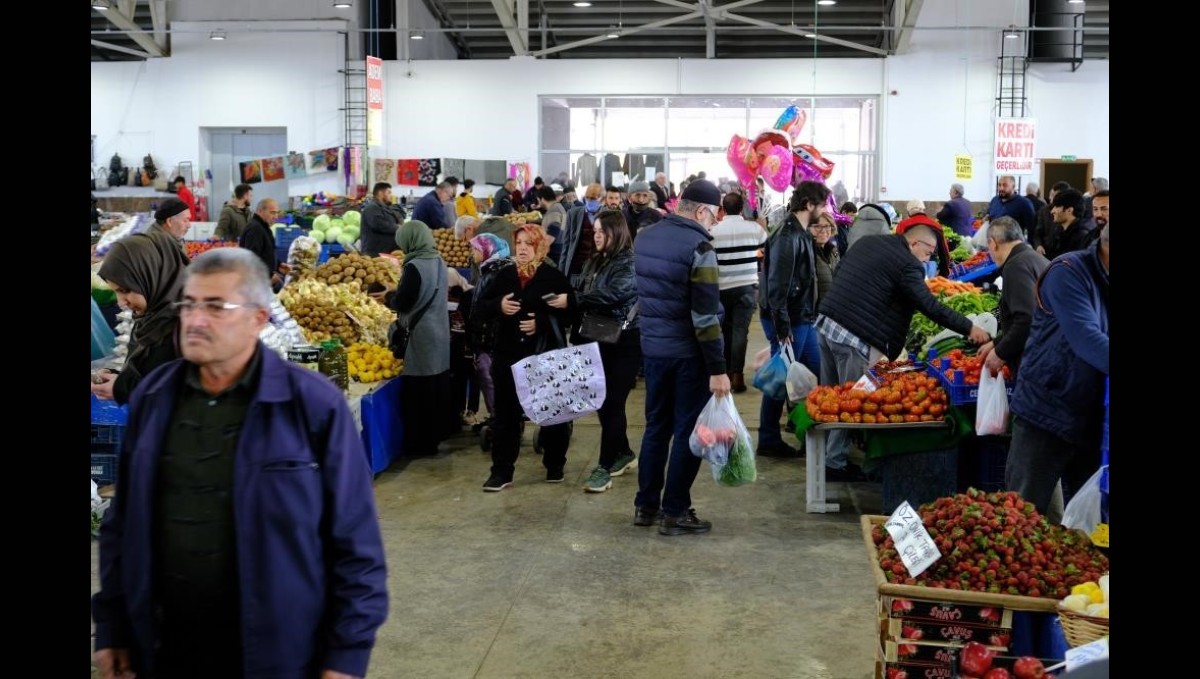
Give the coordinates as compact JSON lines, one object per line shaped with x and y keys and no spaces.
{"x":788,"y":283}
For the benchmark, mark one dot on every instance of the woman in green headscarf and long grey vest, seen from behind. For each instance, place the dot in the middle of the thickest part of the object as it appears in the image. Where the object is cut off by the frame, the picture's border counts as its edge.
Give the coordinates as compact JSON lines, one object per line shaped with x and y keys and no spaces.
{"x":421,"y":302}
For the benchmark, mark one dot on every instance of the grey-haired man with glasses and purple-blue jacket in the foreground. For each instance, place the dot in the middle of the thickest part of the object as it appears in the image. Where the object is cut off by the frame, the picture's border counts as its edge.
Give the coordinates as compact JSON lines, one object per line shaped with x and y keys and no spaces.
{"x":243,"y":540}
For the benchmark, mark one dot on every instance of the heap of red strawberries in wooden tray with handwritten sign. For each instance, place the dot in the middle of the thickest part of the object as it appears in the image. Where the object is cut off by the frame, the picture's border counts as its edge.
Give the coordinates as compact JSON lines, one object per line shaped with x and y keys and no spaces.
{"x":999,"y":544}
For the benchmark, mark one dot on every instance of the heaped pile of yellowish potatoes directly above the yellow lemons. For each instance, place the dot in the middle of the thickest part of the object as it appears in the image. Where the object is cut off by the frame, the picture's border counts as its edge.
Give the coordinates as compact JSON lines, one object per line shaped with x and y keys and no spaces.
{"x":341,"y":311}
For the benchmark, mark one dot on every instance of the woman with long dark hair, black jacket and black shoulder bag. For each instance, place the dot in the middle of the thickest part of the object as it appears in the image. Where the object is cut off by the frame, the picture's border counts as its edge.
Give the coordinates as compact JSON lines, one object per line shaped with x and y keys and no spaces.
{"x":608,"y":290}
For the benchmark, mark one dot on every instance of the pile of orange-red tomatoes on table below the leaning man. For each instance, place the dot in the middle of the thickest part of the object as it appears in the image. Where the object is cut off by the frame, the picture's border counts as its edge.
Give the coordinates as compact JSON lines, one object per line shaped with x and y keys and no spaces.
{"x":904,"y":398}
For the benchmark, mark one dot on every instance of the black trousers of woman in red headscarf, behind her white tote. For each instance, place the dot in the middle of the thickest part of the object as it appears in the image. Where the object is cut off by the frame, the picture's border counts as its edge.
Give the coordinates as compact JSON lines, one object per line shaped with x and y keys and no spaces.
{"x":509,"y":416}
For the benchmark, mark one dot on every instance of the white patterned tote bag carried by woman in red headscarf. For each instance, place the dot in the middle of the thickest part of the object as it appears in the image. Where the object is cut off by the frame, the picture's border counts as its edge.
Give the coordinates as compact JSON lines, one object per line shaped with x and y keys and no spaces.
{"x":561,"y":386}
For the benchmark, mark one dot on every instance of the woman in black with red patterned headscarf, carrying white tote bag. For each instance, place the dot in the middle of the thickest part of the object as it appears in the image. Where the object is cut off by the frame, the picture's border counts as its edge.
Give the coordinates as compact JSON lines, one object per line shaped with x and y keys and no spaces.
{"x":533,"y":305}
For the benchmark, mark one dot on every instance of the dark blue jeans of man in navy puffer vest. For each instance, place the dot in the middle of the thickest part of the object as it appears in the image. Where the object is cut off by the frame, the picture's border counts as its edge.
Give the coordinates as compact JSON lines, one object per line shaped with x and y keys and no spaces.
{"x":676,"y":393}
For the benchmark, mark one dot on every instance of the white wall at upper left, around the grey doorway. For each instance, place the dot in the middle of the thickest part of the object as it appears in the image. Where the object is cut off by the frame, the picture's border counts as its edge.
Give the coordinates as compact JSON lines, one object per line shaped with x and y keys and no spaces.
{"x":251,"y":80}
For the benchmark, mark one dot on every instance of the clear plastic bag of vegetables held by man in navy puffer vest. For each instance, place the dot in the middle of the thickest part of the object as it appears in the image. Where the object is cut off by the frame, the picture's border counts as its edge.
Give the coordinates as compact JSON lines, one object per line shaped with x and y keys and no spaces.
{"x":723,"y":440}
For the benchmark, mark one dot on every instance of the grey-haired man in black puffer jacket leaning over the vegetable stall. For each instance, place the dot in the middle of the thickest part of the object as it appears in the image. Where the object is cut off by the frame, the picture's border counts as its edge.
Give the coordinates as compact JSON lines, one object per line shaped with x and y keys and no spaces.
{"x":866,"y":317}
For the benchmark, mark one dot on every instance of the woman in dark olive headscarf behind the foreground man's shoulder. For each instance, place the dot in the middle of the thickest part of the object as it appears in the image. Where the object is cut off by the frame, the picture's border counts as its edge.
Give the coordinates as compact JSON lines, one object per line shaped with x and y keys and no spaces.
{"x":148,"y":281}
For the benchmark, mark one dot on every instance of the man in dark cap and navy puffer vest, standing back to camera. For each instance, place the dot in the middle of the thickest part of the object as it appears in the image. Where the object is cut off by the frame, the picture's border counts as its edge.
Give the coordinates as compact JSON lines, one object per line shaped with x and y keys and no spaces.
{"x":685,"y":354}
